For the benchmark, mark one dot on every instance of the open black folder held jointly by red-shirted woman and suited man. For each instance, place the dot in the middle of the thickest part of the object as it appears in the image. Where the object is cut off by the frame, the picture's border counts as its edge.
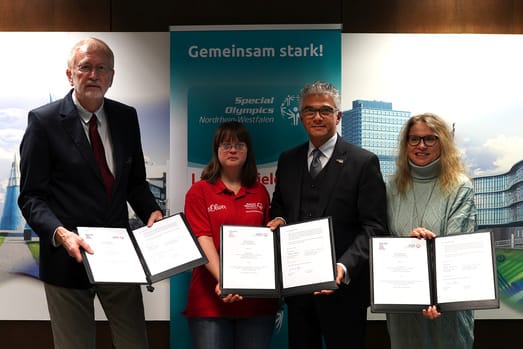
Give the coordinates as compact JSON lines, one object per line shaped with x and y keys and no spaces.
{"x":295,"y":259}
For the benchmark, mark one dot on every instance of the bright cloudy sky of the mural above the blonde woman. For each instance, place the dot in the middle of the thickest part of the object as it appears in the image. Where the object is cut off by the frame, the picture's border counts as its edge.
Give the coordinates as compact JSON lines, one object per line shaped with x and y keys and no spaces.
{"x":472,"y":81}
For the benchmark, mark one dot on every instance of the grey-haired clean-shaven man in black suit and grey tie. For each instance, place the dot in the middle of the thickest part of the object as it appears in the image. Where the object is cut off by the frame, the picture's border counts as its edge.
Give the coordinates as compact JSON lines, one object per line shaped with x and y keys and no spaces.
{"x":342,"y":181}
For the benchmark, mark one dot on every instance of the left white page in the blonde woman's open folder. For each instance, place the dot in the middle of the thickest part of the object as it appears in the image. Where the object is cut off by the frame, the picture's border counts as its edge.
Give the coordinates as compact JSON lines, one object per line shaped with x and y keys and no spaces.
{"x":400,"y":271}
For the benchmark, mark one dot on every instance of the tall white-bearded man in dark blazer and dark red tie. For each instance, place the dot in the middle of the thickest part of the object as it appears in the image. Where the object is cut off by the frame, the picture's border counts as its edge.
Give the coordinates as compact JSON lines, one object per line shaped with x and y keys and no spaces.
{"x":81,"y":162}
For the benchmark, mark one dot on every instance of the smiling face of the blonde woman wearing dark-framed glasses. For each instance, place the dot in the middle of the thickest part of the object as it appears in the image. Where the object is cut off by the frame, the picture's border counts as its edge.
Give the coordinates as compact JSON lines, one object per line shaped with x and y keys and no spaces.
{"x":422,"y":154}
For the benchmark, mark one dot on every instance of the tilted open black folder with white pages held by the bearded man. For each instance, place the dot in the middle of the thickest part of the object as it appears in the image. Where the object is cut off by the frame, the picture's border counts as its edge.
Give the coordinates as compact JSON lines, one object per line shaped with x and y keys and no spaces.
{"x":142,"y":256}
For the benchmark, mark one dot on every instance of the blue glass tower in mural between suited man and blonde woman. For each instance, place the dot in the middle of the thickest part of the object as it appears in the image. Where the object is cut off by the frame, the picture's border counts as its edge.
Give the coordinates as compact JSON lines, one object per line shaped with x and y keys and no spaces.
{"x":375,"y":126}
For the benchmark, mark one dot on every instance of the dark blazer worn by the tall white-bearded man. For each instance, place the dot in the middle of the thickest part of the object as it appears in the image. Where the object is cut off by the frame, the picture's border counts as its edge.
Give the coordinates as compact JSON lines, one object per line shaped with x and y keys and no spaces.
{"x":61,"y":184}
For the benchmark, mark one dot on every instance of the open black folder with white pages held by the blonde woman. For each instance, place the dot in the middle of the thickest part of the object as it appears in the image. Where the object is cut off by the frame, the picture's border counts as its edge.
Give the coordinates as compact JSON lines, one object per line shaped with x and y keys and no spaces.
{"x":453,"y":272}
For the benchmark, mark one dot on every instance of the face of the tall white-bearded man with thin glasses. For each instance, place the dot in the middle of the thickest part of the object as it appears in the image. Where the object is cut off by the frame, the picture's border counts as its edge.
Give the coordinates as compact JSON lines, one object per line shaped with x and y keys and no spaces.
{"x":91,"y":75}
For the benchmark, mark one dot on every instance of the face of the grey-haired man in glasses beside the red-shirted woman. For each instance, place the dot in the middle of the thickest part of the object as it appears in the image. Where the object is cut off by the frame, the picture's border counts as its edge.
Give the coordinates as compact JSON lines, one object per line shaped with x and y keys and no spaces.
{"x":320,"y":128}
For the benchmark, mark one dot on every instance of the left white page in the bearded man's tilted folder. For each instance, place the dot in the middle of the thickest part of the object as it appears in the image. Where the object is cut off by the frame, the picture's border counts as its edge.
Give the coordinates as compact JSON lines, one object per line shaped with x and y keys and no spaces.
{"x":114,"y":259}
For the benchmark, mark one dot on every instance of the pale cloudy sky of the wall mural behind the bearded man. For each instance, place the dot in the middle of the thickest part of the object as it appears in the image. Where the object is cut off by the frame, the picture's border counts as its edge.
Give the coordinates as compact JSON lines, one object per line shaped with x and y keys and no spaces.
{"x":33,"y":73}
